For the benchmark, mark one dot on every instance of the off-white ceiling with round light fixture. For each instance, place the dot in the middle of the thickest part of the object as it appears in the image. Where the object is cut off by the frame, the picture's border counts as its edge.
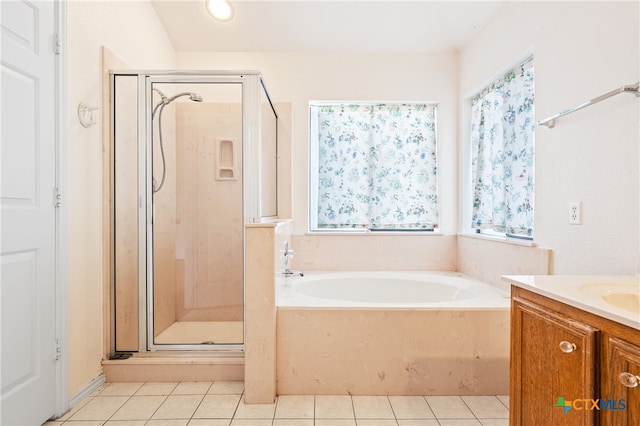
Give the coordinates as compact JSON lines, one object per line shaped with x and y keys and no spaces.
{"x":366,"y":26}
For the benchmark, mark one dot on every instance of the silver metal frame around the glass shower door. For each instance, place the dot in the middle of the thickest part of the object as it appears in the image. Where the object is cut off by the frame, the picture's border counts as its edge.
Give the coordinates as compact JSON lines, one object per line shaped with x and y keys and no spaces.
{"x":251,"y":117}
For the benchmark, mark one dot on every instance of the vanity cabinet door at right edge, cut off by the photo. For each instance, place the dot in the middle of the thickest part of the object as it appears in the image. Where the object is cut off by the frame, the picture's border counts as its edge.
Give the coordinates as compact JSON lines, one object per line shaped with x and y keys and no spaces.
{"x":621,"y":387}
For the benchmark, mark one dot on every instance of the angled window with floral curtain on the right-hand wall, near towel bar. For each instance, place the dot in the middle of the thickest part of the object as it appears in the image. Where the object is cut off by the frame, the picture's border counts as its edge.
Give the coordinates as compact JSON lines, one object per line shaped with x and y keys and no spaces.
{"x":502,"y":157}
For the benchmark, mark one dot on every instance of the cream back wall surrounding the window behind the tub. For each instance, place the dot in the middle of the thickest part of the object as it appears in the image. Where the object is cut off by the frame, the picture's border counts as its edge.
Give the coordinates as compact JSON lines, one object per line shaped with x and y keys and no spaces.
{"x":300,"y":77}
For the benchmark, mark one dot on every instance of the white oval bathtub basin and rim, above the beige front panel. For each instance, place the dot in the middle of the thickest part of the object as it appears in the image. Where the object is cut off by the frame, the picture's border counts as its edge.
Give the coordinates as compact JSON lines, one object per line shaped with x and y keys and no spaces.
{"x":389,"y":290}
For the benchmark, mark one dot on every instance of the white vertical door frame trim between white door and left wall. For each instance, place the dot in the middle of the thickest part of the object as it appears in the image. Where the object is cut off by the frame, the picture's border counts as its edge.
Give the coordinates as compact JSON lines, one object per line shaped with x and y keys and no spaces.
{"x":61,"y":247}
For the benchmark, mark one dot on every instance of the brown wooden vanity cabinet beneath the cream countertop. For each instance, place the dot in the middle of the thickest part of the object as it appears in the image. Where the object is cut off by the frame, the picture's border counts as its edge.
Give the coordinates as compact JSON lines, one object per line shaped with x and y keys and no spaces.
{"x":559,"y":350}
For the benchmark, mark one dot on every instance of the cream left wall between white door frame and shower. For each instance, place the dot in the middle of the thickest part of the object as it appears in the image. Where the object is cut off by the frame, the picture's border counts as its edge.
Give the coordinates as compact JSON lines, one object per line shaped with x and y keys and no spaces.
{"x":132,"y":31}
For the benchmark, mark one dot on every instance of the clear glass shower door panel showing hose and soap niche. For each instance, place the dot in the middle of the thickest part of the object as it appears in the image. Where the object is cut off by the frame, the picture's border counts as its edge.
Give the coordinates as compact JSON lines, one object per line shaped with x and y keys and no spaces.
{"x":197,"y":285}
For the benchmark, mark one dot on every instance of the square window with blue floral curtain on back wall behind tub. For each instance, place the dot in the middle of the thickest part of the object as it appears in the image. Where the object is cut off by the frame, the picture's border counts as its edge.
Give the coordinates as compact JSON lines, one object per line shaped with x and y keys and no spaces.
{"x":373,"y":166}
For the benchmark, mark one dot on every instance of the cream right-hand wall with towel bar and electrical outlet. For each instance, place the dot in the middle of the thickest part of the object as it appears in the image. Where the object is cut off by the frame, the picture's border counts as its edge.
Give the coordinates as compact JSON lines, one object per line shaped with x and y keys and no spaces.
{"x":582,"y":50}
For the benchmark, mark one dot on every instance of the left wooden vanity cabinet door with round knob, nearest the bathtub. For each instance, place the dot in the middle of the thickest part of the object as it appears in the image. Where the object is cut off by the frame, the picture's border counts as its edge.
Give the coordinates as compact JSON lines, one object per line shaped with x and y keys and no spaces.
{"x":552,"y":363}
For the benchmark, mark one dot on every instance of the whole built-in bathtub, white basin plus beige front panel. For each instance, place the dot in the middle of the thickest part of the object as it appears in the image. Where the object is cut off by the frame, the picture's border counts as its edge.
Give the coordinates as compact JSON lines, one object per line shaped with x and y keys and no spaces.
{"x":391,"y":333}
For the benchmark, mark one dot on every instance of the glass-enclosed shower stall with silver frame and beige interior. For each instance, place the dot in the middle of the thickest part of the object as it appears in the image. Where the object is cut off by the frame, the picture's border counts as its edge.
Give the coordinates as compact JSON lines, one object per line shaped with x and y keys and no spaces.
{"x":193,"y":159}
